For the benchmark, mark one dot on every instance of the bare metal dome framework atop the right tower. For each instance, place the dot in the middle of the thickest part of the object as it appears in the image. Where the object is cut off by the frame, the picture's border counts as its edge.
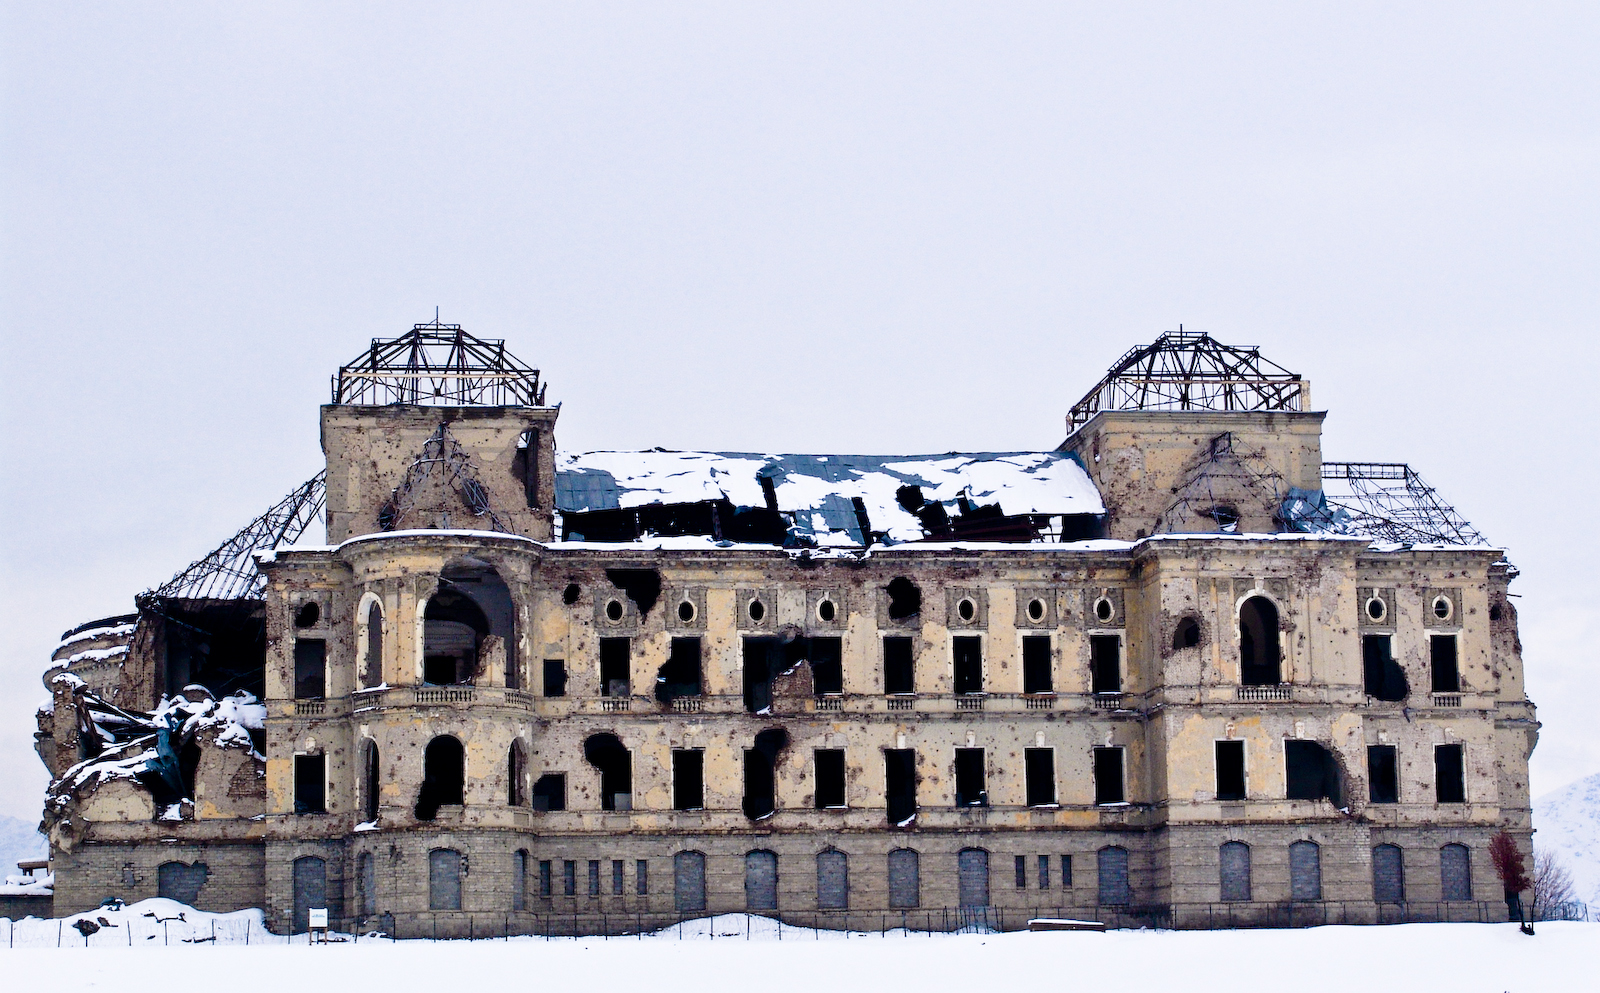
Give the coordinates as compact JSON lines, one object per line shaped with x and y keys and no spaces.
{"x":1191,"y":372}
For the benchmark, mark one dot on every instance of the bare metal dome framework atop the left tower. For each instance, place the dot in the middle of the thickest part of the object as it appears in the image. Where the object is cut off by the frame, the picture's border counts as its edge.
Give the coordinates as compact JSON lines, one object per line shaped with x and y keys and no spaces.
{"x":439,"y":365}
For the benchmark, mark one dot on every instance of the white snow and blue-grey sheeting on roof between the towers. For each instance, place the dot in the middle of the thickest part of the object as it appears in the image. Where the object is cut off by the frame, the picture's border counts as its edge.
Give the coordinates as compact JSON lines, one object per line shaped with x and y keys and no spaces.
{"x":820,"y":489}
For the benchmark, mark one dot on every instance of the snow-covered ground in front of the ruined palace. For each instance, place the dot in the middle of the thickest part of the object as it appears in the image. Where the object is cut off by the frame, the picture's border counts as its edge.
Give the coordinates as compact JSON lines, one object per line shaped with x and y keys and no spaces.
{"x":716,"y":955}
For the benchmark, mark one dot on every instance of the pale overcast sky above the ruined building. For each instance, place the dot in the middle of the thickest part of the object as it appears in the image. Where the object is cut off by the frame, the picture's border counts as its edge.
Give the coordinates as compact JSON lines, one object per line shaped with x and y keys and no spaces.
{"x":796,"y":228}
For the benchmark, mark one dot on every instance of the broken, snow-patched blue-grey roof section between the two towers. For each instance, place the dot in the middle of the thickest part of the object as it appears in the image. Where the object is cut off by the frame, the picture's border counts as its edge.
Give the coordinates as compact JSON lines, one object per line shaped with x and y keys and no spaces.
{"x":826,"y":500}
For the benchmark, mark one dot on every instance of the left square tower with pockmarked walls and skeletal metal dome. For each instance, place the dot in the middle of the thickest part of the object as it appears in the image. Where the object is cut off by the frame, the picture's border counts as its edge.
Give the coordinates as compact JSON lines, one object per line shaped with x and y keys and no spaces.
{"x":439,"y":431}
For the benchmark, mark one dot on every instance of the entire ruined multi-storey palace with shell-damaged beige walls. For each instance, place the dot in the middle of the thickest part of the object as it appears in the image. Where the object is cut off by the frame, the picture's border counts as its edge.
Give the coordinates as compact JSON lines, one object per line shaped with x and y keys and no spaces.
{"x":1177,"y":671}
